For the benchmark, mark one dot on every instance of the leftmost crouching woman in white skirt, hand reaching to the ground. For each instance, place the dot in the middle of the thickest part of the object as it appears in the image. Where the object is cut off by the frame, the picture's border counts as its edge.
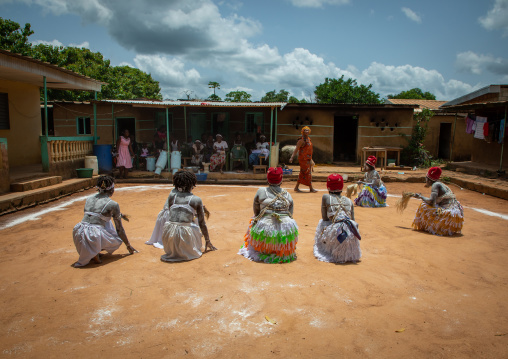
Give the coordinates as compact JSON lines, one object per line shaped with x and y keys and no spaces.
{"x":95,"y":232}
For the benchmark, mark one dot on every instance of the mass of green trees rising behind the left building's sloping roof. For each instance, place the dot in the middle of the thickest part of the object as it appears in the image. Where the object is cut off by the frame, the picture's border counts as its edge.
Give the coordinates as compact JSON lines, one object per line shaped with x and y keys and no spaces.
{"x":123,"y":82}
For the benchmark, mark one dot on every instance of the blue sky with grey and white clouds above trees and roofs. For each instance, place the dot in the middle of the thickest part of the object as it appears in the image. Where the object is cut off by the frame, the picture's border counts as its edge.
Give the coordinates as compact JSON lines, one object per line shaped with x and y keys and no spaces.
{"x":449,"y":48}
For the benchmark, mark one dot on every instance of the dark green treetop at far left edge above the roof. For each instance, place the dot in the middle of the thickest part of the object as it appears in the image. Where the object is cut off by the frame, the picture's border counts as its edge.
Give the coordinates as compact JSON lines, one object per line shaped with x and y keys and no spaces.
{"x":14,"y":38}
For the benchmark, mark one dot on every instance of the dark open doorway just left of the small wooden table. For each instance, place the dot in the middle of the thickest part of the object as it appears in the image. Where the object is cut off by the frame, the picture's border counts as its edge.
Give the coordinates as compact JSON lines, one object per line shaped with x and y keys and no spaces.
{"x":345,"y":130}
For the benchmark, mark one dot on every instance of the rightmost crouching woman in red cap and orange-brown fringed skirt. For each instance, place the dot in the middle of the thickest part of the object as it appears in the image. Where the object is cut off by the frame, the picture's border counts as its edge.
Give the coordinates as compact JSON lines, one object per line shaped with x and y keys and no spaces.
{"x":440,"y":214}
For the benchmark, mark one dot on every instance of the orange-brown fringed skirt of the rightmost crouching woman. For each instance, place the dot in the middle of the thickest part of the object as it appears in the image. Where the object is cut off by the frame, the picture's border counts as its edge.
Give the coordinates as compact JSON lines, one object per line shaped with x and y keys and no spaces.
{"x":439,"y":220}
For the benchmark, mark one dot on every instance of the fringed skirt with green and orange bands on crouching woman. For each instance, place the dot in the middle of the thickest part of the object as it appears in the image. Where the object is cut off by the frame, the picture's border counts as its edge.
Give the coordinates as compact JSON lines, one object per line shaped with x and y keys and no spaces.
{"x":271,"y":240}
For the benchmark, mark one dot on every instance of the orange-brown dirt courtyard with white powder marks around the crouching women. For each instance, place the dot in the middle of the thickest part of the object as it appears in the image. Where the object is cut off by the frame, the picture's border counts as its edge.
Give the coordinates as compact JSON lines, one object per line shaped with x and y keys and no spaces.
{"x":412,"y":295}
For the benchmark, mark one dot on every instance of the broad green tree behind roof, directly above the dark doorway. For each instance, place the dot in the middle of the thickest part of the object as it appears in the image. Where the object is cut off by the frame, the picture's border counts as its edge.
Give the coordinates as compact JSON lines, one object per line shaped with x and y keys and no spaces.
{"x":345,"y":91}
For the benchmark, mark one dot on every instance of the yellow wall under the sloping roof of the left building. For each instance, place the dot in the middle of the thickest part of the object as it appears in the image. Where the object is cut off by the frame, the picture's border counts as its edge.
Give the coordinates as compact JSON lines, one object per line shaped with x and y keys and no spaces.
{"x":23,"y":141}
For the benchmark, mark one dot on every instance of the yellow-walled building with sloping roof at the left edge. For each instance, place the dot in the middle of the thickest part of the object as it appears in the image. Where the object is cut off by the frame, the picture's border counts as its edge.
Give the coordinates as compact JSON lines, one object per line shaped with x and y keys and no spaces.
{"x":22,"y":140}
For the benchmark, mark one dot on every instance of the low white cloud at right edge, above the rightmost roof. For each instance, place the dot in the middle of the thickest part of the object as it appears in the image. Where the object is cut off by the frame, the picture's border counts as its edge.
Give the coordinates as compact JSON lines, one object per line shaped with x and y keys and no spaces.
{"x":476,"y":64}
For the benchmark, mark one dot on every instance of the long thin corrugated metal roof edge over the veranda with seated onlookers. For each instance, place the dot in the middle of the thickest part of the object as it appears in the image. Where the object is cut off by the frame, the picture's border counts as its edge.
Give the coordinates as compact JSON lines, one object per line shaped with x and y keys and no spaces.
{"x":196,"y":103}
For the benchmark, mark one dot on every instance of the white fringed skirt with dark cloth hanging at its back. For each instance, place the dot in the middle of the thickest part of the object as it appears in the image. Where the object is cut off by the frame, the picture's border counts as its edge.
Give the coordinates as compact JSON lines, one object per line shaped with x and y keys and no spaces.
{"x":327,"y":247}
